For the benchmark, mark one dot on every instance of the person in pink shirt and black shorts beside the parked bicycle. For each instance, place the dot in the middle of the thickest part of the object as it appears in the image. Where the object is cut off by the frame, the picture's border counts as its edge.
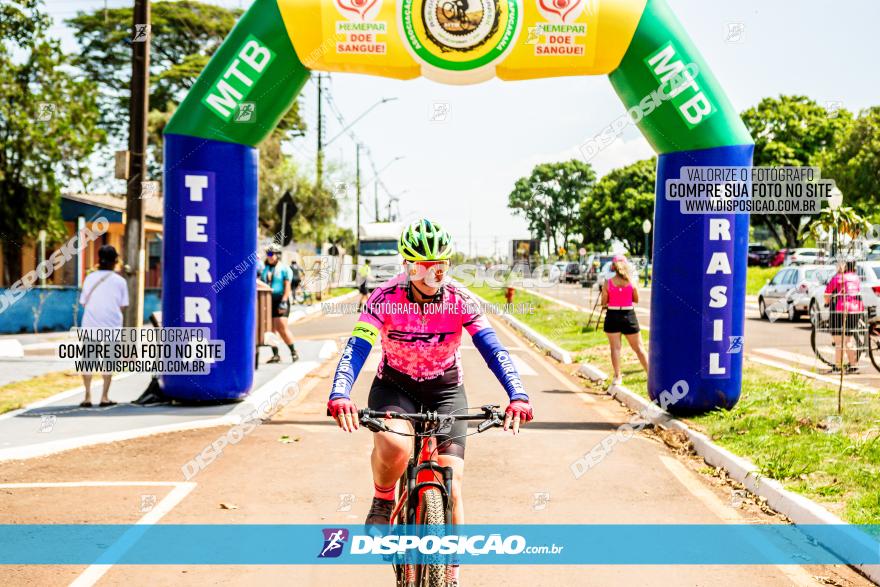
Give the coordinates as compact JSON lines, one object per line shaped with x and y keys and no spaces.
{"x":845,"y":291}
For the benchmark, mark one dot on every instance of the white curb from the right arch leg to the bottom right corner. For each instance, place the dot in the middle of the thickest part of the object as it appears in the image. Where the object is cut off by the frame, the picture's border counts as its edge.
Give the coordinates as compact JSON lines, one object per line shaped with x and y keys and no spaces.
{"x":797,"y":508}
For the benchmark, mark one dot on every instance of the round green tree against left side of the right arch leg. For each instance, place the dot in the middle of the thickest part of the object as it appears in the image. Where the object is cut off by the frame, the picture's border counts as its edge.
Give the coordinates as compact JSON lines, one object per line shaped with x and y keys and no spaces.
{"x":622,"y":200}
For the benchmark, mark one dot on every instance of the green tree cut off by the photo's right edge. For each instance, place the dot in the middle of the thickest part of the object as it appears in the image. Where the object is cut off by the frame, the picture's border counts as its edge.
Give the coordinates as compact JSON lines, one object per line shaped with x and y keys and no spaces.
{"x":855,"y":163}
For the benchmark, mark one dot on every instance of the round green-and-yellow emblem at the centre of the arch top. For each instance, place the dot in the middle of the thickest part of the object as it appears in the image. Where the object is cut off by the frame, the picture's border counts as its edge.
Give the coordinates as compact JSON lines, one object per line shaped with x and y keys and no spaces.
{"x":459,"y":35}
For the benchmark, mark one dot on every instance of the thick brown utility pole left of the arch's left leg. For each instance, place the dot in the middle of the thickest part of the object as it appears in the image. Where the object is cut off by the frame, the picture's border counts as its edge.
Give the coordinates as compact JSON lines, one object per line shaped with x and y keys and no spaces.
{"x":139,"y":104}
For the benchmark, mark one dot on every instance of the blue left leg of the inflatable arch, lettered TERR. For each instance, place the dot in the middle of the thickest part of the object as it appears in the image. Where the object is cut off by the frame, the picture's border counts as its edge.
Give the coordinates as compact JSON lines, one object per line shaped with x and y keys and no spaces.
{"x":211,"y":233}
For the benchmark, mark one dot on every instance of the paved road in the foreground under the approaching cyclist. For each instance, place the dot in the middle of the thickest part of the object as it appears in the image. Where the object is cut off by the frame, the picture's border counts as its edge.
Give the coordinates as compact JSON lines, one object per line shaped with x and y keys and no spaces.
{"x":321,"y":475}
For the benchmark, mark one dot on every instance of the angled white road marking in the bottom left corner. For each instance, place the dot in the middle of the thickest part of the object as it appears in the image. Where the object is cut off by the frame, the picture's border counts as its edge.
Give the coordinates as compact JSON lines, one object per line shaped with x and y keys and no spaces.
{"x":94,"y":572}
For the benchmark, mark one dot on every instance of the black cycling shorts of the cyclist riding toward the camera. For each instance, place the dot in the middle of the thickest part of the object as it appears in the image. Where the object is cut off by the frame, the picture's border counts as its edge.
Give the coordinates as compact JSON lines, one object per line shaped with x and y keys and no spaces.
{"x":397,"y":392}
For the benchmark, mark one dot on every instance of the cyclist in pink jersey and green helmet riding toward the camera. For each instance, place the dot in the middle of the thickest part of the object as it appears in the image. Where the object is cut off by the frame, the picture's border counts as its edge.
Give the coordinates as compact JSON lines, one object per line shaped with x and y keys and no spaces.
{"x":420,"y":315}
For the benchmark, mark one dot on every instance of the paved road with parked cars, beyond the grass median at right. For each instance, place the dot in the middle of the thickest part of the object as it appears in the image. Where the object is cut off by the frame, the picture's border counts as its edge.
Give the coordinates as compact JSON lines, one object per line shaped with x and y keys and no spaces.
{"x":778,"y":341}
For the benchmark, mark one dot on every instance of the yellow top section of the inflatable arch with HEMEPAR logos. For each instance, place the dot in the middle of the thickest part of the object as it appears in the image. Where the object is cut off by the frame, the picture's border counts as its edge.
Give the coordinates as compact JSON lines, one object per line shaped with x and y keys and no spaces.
{"x":462,"y":41}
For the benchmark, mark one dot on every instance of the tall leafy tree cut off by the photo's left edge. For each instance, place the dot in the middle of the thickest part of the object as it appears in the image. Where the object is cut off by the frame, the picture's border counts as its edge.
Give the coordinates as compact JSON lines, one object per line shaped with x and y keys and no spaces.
{"x":48,"y":128}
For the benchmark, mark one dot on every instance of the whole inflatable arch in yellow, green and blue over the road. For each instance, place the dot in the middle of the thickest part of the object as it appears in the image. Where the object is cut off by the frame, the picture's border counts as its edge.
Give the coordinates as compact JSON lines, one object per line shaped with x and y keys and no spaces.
{"x":211,"y":155}
